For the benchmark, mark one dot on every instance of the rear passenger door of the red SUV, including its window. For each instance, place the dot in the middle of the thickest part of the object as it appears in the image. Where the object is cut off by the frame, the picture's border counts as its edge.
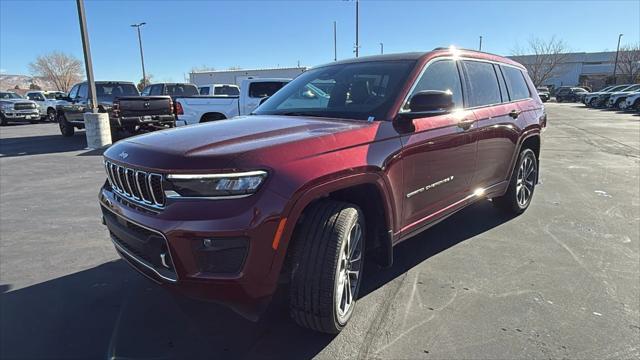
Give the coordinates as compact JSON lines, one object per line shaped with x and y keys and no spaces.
{"x":495,"y":132}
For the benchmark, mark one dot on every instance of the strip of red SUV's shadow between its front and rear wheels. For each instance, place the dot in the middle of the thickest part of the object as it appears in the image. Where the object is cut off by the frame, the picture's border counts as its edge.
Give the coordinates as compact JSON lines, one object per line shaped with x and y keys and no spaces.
{"x":467,"y":223}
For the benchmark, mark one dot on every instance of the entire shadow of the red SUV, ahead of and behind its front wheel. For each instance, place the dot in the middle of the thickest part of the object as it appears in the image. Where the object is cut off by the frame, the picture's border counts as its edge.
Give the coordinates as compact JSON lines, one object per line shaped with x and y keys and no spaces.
{"x":110,"y":311}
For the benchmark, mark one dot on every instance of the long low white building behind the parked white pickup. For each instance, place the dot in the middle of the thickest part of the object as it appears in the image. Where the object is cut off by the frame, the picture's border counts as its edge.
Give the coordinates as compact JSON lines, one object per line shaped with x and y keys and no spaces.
{"x":200,"y":78}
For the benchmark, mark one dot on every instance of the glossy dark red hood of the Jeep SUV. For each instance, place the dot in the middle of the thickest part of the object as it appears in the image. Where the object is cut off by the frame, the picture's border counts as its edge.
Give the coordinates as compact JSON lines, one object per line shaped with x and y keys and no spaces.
{"x":217,"y":145}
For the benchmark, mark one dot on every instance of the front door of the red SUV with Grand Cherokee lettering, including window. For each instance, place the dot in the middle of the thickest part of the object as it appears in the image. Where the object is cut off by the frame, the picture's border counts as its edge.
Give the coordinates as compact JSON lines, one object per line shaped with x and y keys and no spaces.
{"x":439,"y":155}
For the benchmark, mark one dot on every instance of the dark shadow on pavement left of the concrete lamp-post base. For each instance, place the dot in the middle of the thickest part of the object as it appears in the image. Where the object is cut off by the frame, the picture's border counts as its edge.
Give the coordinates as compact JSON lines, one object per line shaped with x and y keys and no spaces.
{"x":44,"y":144}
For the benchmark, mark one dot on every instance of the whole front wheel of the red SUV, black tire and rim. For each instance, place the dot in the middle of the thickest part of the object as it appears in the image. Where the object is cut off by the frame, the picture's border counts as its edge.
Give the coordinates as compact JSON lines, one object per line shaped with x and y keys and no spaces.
{"x":327,"y":261}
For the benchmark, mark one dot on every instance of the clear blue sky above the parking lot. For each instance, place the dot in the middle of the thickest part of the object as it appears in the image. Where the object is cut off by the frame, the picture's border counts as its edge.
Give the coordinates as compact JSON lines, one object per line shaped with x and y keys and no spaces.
{"x":181,"y":35}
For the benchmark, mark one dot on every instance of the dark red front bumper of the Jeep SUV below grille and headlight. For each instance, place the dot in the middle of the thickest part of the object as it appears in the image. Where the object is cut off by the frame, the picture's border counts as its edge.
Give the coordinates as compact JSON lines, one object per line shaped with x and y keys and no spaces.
{"x":168,"y":246}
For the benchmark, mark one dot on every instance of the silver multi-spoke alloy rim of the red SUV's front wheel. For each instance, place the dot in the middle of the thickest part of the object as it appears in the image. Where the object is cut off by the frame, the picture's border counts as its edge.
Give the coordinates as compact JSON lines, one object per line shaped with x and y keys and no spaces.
{"x":348,"y":273}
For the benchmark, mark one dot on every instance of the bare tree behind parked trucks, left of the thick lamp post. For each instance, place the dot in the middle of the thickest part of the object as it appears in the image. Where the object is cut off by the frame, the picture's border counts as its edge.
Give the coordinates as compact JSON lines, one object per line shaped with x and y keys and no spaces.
{"x":60,"y":69}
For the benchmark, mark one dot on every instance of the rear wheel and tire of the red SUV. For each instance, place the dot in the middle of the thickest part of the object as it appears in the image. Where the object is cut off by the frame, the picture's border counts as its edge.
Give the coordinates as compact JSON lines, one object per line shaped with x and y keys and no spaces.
{"x":523,"y":182}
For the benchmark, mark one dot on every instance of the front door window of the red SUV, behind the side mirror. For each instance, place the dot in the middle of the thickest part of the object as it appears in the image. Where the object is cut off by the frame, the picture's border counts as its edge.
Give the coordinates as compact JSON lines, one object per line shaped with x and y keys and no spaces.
{"x":441,"y":75}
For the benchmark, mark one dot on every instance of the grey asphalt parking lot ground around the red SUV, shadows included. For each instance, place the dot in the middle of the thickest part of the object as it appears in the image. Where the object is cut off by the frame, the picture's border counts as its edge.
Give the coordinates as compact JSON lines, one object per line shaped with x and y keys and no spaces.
{"x":560,"y":281}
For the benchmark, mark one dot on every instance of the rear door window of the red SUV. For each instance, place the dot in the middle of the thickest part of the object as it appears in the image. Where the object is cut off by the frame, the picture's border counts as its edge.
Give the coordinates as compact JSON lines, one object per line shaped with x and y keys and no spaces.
{"x":484,"y":84}
